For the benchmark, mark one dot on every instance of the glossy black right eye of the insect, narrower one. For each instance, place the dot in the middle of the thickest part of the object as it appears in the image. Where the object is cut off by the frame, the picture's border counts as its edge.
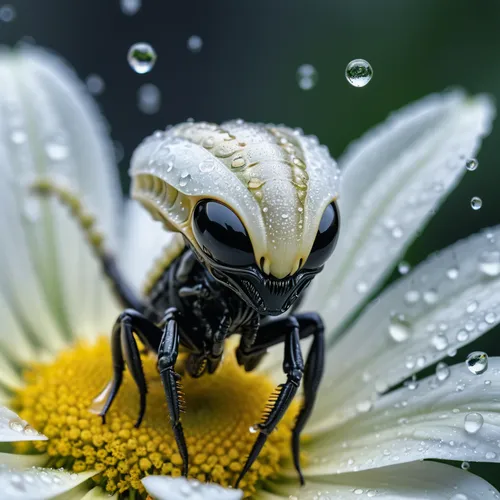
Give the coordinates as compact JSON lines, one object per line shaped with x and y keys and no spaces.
{"x":326,"y":238}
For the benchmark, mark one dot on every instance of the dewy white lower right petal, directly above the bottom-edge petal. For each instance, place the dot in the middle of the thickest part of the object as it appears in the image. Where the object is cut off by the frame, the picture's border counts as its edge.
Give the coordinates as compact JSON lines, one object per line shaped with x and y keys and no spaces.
{"x":453,"y":419}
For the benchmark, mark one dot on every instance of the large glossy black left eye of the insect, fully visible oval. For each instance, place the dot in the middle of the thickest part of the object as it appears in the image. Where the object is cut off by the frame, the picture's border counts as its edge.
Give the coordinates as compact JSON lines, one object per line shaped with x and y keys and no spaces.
{"x":221,"y":234}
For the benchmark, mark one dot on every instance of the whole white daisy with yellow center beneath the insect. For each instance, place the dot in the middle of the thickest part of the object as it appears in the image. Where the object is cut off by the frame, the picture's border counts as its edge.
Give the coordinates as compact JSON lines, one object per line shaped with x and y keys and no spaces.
{"x":364,"y":440}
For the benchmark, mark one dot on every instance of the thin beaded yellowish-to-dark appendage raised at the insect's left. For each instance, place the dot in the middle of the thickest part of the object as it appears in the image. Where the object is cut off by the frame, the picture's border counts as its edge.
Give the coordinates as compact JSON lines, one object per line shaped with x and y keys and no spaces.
{"x":87,"y":222}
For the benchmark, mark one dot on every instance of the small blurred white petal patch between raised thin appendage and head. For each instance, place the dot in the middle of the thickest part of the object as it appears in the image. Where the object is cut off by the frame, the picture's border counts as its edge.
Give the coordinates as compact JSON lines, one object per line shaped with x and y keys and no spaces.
{"x":145,"y":239}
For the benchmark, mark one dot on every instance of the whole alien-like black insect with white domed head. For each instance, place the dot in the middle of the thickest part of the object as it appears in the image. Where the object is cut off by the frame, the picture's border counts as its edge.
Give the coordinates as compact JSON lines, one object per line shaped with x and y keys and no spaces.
{"x":254,"y":207}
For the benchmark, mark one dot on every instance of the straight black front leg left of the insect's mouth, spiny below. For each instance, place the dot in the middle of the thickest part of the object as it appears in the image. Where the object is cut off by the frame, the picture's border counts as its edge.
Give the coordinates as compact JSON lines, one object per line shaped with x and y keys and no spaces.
{"x":167,"y":356}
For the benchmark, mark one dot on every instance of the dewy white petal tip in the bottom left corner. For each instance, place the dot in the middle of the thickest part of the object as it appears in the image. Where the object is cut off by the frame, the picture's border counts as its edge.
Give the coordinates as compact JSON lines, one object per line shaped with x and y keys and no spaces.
{"x":37,"y":483}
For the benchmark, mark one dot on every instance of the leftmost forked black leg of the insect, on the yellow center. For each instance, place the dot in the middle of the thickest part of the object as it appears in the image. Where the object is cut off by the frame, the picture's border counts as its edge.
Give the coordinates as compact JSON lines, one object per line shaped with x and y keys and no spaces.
{"x":124,"y":352}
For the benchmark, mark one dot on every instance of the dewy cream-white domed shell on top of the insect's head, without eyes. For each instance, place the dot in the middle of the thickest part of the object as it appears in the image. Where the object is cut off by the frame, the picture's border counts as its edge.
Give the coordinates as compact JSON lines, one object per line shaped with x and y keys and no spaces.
{"x":277,"y":180}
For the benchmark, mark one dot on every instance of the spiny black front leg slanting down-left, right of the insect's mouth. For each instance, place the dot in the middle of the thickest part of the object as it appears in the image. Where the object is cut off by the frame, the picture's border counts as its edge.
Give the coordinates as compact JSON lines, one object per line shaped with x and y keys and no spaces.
{"x":293,"y":367}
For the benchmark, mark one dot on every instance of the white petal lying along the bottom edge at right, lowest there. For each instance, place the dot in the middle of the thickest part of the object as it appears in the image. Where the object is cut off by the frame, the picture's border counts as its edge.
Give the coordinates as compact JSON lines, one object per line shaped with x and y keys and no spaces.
{"x":412,"y":481}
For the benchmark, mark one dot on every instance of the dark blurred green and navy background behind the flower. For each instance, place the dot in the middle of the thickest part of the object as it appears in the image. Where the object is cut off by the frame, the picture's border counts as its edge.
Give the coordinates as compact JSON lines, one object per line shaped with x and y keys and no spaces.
{"x":247,"y":69}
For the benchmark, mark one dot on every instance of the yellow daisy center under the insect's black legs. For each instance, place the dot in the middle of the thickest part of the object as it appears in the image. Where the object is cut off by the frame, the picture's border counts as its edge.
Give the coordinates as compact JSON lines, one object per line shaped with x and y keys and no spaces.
{"x":221,"y":409}
